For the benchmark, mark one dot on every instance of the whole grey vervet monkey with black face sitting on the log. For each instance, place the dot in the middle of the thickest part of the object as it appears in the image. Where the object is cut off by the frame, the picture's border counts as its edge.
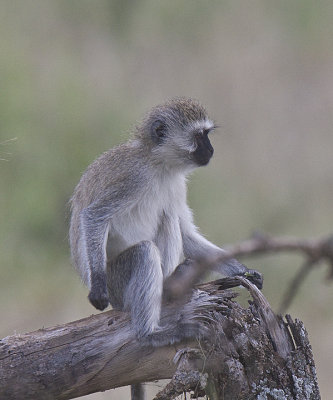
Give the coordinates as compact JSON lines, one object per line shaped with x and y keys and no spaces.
{"x":131,"y":226}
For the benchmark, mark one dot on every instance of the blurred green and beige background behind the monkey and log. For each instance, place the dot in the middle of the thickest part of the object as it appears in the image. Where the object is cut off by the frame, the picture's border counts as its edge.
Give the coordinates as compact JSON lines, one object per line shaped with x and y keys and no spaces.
{"x":77,"y":75}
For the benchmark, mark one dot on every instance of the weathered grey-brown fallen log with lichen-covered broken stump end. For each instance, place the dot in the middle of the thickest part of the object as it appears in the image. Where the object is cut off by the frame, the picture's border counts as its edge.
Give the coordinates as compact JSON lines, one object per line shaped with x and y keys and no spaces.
{"x":245,"y":353}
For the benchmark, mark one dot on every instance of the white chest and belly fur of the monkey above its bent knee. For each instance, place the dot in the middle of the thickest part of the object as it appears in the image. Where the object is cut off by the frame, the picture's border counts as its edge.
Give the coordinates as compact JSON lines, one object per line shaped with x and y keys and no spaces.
{"x":145,"y":221}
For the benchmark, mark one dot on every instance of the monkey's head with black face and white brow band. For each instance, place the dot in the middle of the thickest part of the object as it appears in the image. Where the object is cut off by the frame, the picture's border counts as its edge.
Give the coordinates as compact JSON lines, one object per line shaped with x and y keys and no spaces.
{"x":177,"y":134}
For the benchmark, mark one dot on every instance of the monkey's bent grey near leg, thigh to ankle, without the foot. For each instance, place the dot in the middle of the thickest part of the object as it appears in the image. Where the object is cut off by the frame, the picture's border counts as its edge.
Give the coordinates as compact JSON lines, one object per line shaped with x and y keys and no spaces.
{"x":135,"y":284}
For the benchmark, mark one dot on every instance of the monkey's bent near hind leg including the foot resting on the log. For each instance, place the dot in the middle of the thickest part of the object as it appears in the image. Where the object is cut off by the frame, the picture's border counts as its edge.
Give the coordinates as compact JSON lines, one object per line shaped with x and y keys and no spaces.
{"x":135,"y":283}
